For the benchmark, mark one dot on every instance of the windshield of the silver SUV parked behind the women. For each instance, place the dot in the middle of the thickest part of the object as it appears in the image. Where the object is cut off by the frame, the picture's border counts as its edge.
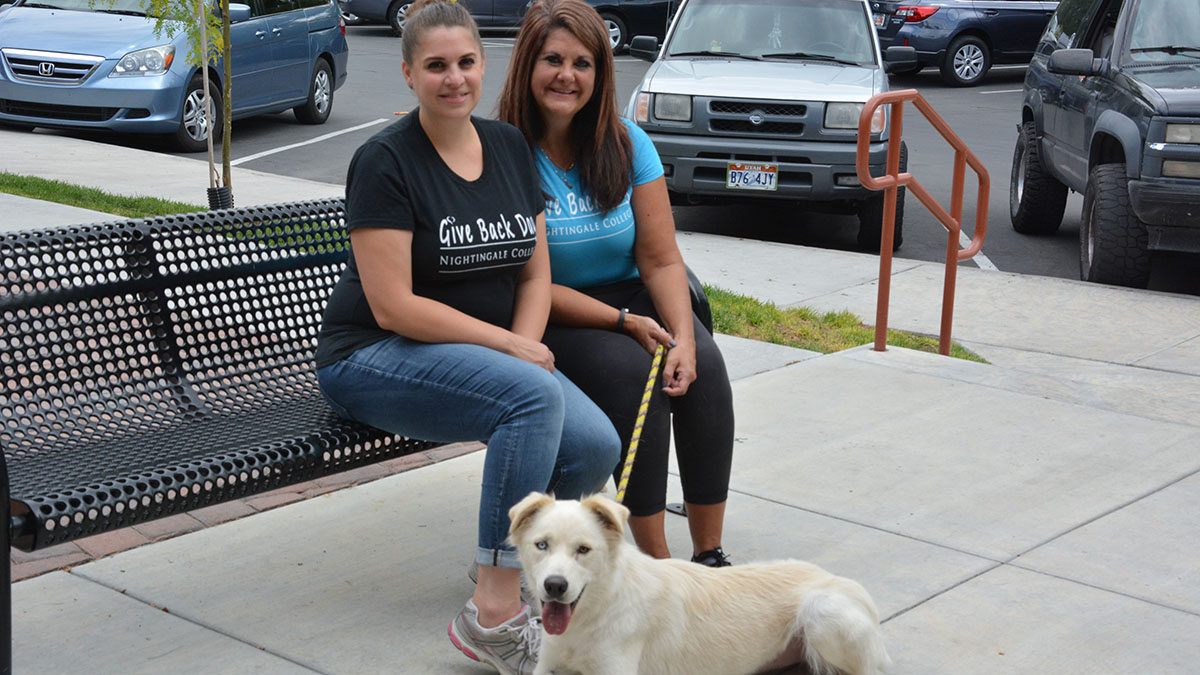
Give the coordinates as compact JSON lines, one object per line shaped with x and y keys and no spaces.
{"x":820,"y":31}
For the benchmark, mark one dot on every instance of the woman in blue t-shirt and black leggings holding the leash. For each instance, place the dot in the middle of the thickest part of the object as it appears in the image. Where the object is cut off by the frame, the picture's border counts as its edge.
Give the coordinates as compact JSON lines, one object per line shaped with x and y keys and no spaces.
{"x":617,"y":273}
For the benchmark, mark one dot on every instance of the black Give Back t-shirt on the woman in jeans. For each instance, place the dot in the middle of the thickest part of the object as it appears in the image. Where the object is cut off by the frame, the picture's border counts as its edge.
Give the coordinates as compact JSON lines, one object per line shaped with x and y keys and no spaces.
{"x":471,"y":238}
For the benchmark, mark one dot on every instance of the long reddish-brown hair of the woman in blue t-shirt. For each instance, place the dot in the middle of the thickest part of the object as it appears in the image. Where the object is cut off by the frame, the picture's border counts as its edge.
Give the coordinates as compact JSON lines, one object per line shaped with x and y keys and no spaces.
{"x":599,"y":142}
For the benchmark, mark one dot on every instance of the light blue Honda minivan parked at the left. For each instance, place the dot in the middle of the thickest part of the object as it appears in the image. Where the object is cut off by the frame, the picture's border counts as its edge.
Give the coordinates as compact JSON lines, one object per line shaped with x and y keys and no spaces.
{"x":85,"y":64}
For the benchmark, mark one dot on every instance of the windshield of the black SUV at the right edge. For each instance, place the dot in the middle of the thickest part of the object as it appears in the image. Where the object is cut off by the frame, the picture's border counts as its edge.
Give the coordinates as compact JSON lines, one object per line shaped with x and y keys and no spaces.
{"x":1166,"y":32}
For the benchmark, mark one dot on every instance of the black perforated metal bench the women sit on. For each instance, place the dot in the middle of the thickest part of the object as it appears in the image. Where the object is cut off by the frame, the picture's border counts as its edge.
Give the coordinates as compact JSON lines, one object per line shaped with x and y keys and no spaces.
{"x":159,"y":366}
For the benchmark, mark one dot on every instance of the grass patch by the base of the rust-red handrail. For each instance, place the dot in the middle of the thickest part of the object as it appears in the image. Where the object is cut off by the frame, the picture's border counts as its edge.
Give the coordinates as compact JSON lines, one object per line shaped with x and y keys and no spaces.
{"x":808,"y":330}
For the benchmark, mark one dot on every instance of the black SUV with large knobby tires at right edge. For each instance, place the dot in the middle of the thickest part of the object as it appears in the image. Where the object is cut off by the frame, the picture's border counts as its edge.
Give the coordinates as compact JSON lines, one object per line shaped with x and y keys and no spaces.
{"x":1113,"y":110}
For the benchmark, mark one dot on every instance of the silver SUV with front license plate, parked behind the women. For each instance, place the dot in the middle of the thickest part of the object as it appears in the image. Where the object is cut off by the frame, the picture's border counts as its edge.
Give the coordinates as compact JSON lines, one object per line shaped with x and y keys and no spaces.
{"x":753,"y":100}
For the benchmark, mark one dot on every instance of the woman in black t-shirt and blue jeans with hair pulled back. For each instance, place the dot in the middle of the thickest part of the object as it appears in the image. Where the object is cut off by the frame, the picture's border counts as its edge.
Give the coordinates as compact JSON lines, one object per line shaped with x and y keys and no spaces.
{"x":434,"y":332}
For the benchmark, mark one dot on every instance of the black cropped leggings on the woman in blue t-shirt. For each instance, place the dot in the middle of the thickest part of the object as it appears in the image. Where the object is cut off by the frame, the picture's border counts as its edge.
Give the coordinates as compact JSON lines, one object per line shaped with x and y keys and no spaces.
{"x":611,"y":368}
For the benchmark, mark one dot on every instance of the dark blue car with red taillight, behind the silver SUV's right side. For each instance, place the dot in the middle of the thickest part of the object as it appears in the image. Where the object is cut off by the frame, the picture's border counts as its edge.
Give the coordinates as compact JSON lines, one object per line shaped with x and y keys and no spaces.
{"x":964,"y":38}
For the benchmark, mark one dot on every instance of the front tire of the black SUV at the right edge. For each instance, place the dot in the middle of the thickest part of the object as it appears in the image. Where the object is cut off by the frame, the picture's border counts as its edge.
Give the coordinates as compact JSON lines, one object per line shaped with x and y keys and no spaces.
{"x":1113,"y":241}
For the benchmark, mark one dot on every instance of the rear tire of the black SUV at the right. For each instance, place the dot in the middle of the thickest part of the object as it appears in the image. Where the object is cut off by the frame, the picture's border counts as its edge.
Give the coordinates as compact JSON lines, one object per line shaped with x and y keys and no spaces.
{"x":1036,"y":199}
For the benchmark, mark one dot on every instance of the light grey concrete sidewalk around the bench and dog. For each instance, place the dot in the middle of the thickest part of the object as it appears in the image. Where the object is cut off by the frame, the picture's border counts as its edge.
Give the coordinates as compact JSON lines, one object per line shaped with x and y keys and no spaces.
{"x":1037,"y":515}
